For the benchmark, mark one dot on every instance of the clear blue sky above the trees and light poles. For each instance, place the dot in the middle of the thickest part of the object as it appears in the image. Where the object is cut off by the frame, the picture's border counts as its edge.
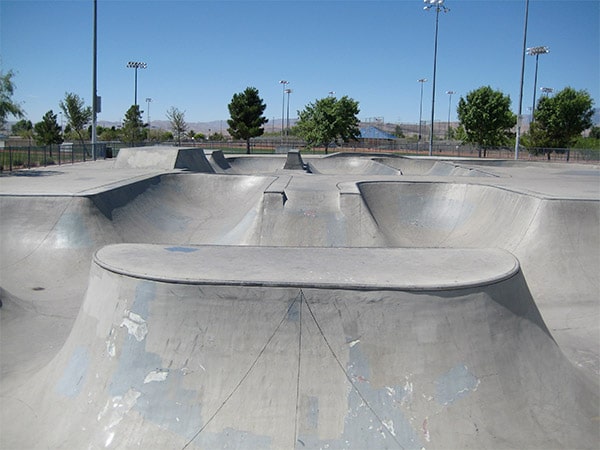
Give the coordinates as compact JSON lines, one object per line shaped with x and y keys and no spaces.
{"x":199,"y":53}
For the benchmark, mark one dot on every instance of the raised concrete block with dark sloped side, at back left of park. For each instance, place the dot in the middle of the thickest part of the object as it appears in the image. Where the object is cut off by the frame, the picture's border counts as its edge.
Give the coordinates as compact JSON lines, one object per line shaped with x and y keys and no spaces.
{"x":163,"y":157}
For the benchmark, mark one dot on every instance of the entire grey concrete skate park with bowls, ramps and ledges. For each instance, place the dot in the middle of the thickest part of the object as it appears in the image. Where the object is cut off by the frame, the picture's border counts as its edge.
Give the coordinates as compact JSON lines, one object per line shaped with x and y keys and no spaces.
{"x":186,"y":298}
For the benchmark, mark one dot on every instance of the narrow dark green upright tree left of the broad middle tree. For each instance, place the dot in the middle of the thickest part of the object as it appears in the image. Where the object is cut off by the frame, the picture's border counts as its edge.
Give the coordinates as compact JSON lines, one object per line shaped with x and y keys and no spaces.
{"x":246,"y":110}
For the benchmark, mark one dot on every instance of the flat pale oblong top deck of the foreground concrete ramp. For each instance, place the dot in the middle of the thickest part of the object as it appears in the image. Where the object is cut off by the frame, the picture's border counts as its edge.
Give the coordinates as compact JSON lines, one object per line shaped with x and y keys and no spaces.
{"x":331,"y":268}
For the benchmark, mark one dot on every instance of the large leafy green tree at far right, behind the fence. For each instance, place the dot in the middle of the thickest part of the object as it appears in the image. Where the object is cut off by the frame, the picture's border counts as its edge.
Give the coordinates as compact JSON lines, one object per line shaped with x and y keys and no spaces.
{"x":560,"y":120}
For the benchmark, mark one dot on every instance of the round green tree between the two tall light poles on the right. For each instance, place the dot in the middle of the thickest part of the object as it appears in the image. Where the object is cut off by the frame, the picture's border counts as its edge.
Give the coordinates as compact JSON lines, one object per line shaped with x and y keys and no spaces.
{"x":486,"y":117}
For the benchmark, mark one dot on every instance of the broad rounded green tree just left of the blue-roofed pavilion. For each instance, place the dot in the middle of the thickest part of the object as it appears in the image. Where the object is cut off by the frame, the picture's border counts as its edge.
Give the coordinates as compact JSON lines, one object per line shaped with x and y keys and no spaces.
{"x":327,"y":121}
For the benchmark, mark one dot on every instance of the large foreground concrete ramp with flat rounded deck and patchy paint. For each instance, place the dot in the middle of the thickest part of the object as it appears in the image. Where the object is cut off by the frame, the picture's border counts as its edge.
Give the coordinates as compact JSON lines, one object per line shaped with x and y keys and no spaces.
{"x":304,"y":348}
